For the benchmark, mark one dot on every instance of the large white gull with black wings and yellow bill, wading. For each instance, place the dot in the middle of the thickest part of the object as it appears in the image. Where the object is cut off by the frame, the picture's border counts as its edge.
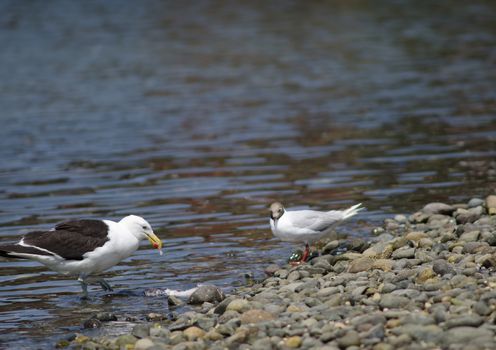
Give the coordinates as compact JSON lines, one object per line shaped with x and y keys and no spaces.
{"x":84,"y":247}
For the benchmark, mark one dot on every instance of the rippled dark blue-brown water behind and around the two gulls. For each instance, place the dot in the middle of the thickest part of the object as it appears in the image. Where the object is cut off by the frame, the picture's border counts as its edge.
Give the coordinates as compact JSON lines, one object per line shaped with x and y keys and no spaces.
{"x":196,"y":115}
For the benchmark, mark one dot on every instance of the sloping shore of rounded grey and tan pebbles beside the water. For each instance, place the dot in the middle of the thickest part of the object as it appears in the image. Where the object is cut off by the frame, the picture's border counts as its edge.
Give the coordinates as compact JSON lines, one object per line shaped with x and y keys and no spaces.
{"x":425,"y":281}
